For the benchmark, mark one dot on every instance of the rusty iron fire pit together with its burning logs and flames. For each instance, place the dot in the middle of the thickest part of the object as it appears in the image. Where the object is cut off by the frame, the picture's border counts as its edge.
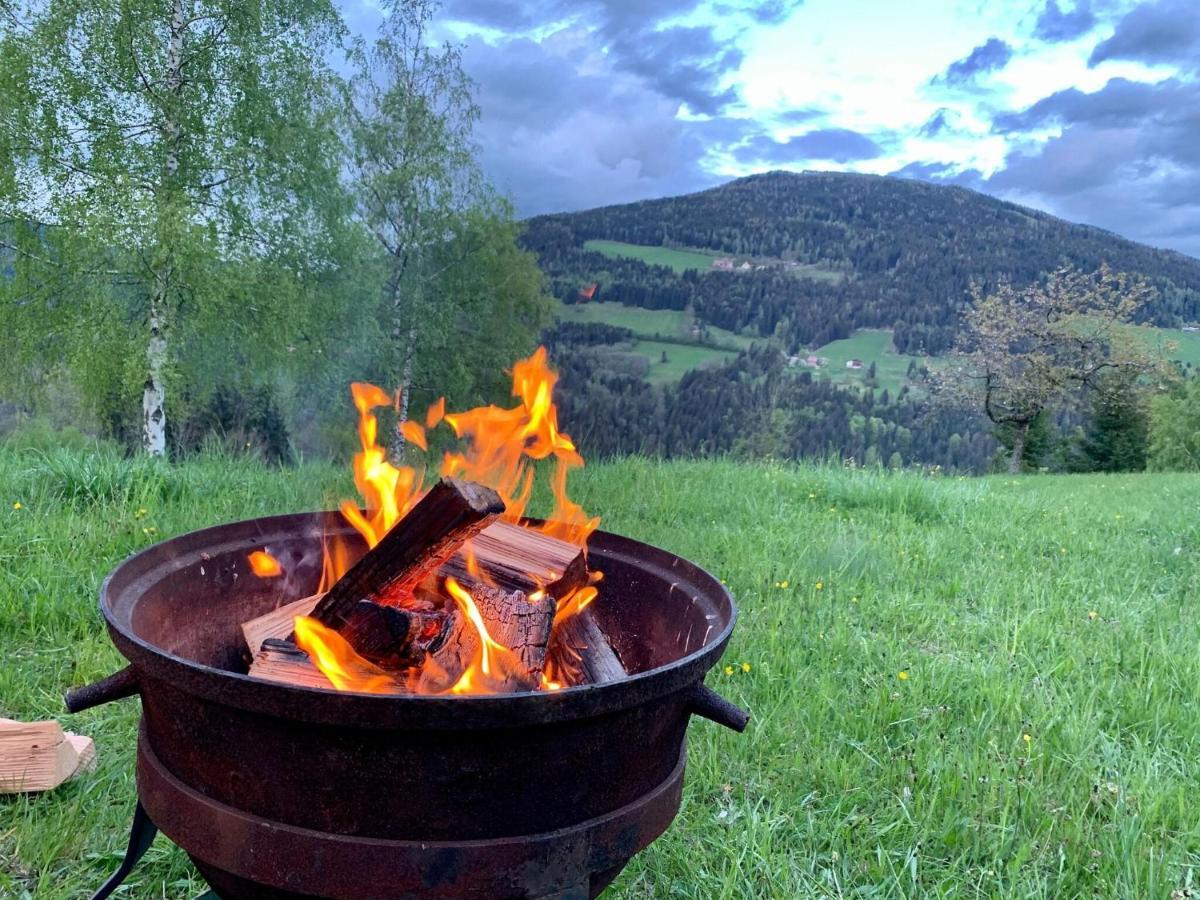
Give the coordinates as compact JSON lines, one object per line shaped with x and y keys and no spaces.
{"x":419,"y":699}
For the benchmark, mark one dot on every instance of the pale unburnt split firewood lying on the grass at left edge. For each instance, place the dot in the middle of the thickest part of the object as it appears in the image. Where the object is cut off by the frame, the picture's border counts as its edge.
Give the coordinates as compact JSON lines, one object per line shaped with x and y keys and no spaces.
{"x":39,"y":757}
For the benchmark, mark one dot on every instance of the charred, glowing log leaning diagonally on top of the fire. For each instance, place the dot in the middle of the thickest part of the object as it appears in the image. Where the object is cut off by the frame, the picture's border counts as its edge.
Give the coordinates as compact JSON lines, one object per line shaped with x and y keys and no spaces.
{"x":452,"y":513}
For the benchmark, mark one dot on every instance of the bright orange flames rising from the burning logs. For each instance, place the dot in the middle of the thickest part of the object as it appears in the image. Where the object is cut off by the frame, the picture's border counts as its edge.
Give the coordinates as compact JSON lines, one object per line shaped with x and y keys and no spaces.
{"x":501,"y":448}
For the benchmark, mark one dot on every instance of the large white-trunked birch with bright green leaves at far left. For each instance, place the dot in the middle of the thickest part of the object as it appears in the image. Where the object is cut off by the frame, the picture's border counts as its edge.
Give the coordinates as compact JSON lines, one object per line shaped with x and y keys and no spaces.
{"x":151,"y":153}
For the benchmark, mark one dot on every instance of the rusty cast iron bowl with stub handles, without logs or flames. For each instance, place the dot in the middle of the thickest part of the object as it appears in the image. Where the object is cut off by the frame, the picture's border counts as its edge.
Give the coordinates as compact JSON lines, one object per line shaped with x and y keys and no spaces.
{"x":280,"y":791}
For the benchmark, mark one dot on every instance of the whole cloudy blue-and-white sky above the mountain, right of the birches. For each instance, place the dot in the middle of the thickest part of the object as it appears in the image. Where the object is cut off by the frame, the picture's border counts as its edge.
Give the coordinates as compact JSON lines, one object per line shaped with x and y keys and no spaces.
{"x":1089,"y":110}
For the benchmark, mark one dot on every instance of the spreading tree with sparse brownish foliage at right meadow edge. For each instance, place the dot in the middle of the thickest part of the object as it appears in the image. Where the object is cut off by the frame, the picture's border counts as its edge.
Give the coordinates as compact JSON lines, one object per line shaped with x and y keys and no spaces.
{"x":1024,"y":352}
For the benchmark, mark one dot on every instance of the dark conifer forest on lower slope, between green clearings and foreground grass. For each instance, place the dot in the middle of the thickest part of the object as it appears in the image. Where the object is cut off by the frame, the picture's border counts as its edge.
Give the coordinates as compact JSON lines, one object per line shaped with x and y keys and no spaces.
{"x":754,"y":406}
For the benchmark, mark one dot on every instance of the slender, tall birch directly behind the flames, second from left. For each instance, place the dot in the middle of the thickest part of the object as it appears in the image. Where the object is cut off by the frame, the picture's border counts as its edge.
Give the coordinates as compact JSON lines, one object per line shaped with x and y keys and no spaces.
{"x":412,"y":160}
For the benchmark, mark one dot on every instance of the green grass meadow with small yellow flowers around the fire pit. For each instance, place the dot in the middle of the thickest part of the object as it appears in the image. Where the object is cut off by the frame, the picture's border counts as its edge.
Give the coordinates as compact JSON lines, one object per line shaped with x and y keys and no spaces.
{"x":969,"y":688}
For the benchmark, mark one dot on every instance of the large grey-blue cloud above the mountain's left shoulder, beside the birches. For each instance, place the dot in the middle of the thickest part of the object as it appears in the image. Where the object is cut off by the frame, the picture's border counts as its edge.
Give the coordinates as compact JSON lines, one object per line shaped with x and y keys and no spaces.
{"x":561,"y":131}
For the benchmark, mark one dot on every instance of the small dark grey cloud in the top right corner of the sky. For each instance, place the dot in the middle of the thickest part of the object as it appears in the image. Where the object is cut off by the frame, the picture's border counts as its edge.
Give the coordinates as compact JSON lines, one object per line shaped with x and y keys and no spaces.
{"x":1167,"y":32}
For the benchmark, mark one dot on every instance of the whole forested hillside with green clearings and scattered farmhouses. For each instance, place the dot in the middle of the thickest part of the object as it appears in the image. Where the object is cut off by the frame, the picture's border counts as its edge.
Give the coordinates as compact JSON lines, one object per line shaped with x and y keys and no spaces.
{"x":785,"y":269}
